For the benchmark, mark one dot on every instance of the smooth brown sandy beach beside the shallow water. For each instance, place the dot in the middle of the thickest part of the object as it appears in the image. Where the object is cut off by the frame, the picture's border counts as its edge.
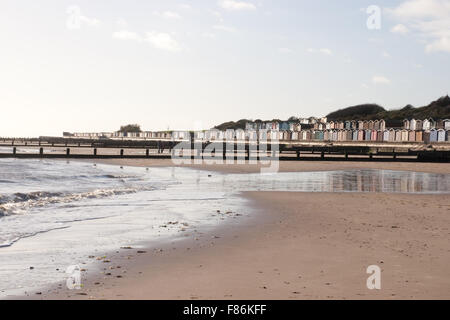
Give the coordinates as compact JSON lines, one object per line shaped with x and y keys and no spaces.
{"x":299,"y":246}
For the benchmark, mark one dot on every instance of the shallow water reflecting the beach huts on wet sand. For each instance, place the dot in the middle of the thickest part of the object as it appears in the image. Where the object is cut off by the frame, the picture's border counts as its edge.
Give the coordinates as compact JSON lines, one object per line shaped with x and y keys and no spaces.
{"x":369,"y":180}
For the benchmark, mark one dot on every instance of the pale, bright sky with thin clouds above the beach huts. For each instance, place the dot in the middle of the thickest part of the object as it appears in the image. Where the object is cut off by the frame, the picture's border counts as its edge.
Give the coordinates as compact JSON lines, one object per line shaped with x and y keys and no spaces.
{"x":93,"y":65}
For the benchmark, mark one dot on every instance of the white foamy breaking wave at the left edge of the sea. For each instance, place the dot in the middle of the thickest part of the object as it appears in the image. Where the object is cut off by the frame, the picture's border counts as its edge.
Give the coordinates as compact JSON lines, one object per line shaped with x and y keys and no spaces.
{"x":18,"y":203}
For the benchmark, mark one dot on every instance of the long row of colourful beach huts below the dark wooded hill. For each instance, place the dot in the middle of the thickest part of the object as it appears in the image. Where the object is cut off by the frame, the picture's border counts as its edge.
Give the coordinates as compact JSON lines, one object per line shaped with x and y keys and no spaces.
{"x":411,"y":130}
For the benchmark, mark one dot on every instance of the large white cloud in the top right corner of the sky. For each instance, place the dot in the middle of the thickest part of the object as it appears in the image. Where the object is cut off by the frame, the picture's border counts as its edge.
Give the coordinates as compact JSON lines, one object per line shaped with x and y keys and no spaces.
{"x":429,"y":20}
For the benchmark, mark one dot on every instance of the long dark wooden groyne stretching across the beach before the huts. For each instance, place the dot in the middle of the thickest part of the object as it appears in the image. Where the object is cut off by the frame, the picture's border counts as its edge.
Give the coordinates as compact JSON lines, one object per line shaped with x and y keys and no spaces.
{"x":67,"y":148}
